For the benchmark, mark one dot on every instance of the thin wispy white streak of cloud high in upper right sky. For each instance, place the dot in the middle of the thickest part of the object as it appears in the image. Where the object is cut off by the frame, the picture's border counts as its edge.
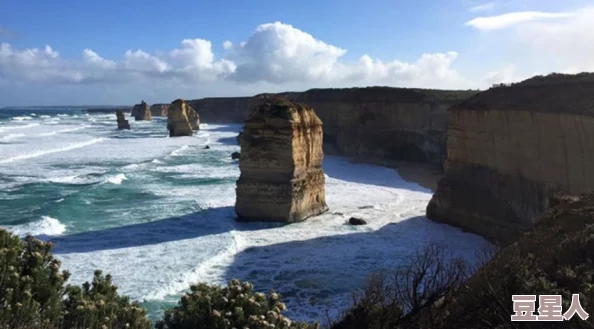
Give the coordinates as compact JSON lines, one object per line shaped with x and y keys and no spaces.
{"x":507,"y":20}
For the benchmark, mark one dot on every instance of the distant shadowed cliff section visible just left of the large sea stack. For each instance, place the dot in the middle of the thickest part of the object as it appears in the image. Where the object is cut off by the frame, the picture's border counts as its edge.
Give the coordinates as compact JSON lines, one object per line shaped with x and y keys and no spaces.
{"x":221,"y":109}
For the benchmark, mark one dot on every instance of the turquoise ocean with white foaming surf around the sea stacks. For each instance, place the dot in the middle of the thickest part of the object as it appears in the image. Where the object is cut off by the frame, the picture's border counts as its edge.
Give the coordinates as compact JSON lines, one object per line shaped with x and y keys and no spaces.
{"x":157,"y":212}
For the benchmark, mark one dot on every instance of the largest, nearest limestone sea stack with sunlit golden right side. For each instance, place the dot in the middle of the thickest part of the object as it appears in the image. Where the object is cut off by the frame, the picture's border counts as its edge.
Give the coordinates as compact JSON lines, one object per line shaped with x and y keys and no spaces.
{"x":281,"y":163}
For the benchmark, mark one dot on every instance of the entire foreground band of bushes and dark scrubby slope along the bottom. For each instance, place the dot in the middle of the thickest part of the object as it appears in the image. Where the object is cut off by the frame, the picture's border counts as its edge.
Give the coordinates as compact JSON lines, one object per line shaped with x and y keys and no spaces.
{"x":431,"y":290}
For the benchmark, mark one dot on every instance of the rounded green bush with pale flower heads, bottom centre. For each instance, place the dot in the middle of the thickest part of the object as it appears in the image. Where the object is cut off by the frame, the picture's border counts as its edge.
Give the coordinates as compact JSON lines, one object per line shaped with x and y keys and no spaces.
{"x":234,"y":306}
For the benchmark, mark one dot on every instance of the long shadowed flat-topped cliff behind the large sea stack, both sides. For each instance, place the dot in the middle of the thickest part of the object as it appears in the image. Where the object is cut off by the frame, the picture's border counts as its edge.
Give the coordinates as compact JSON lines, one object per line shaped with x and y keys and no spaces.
{"x":380,"y":123}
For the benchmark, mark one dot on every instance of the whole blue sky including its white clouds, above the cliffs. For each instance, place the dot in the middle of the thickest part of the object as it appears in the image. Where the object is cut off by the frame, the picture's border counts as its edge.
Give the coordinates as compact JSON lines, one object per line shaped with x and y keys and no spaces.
{"x":73,"y":52}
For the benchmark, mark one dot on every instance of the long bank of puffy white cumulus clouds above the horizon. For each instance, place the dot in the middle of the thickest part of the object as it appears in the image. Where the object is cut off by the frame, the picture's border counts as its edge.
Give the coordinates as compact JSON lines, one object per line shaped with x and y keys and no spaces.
{"x":275,"y":57}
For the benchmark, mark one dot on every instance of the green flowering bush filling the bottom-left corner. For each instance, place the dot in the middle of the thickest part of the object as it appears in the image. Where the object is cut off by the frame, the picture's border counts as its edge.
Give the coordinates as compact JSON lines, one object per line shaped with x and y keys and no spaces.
{"x":33,"y":293}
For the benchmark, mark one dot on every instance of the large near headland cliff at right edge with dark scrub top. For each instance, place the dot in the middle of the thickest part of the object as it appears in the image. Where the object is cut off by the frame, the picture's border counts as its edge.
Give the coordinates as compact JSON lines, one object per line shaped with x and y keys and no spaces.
{"x":511,"y":149}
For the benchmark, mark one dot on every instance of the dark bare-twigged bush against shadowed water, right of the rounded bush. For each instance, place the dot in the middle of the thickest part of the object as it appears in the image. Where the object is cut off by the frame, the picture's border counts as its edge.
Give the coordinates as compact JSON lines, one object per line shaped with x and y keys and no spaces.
{"x":424,"y":283}
